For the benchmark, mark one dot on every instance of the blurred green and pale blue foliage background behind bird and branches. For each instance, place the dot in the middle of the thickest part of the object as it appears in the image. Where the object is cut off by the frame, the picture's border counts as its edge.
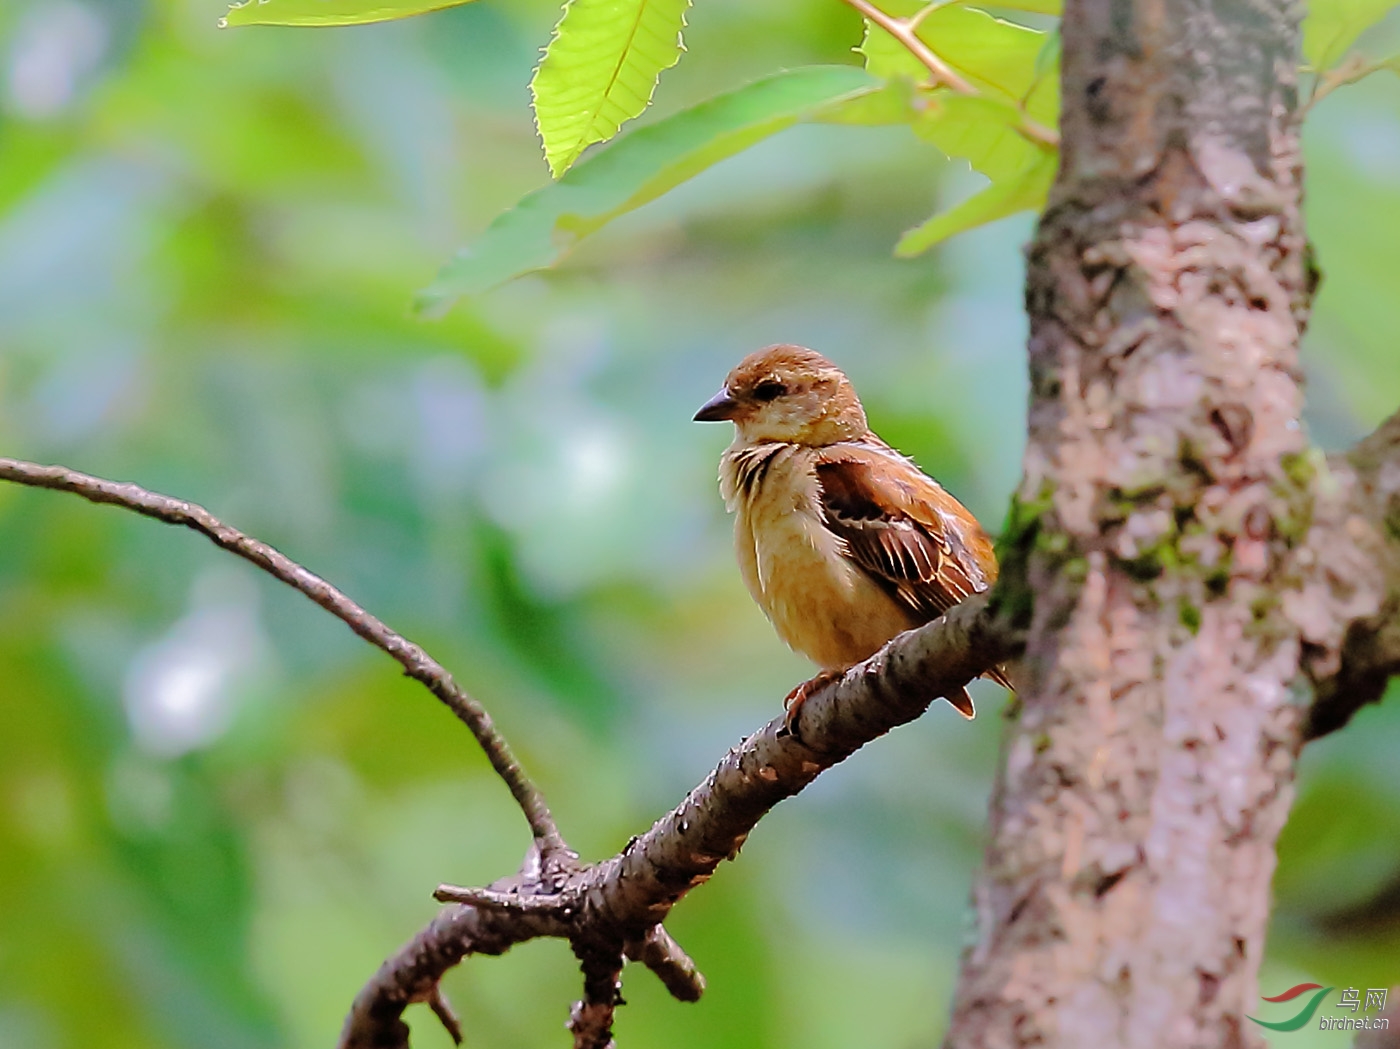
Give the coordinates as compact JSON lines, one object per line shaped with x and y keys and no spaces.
{"x":219,"y":812}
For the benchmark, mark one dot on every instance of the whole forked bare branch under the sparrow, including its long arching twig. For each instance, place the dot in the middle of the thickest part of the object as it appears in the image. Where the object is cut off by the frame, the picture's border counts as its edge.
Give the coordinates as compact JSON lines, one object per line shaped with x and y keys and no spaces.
{"x":614,"y":910}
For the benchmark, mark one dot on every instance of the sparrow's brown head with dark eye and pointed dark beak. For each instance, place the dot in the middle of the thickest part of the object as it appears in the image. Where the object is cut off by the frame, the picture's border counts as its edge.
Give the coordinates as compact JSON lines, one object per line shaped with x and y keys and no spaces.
{"x":787,"y":394}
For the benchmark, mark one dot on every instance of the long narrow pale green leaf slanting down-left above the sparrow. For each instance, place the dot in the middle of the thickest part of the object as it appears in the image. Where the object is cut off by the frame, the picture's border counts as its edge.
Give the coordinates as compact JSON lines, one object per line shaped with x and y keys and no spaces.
{"x":640,"y":167}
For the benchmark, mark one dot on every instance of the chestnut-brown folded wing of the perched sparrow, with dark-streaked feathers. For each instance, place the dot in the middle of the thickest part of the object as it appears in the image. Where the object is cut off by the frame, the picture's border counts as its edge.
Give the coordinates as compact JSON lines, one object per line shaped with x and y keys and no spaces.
{"x":904,"y":530}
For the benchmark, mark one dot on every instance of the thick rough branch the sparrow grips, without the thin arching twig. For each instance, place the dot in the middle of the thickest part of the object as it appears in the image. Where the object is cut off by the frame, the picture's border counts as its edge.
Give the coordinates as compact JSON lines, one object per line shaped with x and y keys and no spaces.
{"x":619,"y":904}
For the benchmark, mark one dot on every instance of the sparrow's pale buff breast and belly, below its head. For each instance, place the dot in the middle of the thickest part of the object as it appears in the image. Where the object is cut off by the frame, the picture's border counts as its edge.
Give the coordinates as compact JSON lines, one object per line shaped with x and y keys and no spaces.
{"x":820,"y":603}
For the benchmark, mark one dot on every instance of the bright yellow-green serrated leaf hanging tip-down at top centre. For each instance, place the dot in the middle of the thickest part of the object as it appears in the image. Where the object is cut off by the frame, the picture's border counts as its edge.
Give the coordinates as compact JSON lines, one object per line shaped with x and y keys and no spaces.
{"x":601,"y":69}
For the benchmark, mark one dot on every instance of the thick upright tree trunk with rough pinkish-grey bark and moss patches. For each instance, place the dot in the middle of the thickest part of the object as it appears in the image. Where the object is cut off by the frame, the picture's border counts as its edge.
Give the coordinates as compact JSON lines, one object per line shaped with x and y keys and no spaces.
{"x":1167,"y":489}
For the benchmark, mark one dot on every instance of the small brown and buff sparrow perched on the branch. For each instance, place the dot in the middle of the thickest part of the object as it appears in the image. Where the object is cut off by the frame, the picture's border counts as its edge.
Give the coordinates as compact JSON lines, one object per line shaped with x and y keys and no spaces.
{"x":842,"y":541}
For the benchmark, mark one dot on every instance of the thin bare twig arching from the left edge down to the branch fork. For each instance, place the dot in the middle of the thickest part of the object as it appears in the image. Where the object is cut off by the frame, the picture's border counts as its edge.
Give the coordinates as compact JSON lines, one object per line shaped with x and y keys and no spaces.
{"x":416,"y":663}
